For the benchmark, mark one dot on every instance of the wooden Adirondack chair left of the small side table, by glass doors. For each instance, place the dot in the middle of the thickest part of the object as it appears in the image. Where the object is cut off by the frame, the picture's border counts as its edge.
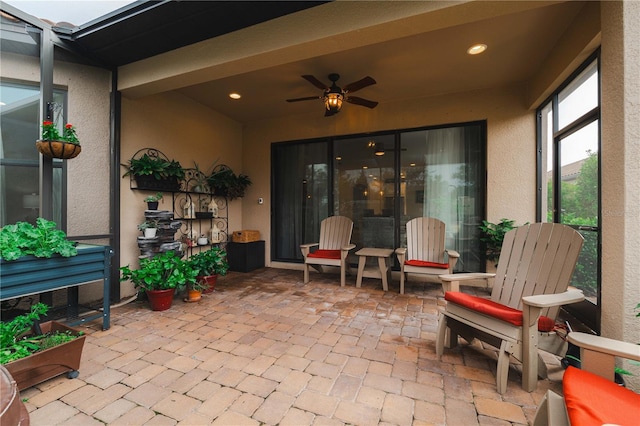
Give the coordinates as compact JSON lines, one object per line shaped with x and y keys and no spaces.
{"x":333,"y":247}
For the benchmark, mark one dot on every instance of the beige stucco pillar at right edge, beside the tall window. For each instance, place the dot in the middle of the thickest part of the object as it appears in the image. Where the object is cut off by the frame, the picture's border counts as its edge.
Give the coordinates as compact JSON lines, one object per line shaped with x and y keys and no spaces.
{"x":621,"y":172}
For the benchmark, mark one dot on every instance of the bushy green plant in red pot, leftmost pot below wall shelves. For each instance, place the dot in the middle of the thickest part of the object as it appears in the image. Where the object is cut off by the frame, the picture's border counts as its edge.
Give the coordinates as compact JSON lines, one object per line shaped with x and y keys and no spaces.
{"x":160,"y":276}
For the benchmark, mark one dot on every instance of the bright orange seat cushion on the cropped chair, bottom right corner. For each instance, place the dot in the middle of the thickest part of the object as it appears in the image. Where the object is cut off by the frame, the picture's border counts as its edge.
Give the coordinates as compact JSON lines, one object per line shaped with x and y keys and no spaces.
{"x":593,"y":400}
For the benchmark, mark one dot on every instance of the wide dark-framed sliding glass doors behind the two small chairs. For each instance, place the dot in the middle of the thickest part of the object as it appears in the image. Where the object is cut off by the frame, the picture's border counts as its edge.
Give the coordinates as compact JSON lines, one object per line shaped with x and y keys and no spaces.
{"x":381,"y":181}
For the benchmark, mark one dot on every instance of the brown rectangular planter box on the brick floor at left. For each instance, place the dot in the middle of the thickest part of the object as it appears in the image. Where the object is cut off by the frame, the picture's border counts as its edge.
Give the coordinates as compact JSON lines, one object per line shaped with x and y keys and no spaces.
{"x":42,"y":366}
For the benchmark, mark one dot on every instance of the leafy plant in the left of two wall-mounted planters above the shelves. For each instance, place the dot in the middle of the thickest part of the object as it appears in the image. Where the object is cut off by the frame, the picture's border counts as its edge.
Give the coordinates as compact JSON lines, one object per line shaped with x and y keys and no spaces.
{"x":153,"y":171}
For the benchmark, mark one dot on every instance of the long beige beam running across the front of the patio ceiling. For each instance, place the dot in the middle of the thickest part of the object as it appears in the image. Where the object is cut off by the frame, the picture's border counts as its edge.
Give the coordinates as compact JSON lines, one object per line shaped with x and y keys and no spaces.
{"x":302,"y":36}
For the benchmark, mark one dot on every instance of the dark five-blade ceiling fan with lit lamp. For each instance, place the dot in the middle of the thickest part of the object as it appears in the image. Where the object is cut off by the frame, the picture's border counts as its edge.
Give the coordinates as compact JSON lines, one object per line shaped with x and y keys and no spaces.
{"x":334,"y":95}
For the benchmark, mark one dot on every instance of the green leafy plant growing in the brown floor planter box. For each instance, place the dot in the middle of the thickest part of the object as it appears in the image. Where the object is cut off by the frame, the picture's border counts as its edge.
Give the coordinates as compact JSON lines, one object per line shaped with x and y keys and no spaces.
{"x":16,"y":340}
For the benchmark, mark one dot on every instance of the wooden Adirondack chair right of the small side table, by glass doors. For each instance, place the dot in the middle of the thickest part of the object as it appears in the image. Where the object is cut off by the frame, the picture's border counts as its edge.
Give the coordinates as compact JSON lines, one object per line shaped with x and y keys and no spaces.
{"x":425,"y":252}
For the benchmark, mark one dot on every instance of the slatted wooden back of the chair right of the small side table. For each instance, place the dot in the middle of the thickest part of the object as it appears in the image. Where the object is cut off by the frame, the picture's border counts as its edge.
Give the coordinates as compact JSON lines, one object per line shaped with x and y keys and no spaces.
{"x":425,"y":239}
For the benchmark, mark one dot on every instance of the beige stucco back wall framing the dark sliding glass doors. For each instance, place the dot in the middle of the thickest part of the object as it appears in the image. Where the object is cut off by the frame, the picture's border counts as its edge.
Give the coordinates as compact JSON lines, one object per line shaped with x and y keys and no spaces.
{"x":511,"y":139}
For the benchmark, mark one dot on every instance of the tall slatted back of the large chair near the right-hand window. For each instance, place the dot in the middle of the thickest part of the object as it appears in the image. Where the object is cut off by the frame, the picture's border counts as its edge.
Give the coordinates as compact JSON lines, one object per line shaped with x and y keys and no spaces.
{"x":536,"y":259}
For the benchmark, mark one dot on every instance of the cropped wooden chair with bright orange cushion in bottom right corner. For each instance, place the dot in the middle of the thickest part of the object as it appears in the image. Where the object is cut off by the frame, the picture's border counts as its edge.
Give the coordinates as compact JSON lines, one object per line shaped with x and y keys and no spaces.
{"x":590,"y":395}
